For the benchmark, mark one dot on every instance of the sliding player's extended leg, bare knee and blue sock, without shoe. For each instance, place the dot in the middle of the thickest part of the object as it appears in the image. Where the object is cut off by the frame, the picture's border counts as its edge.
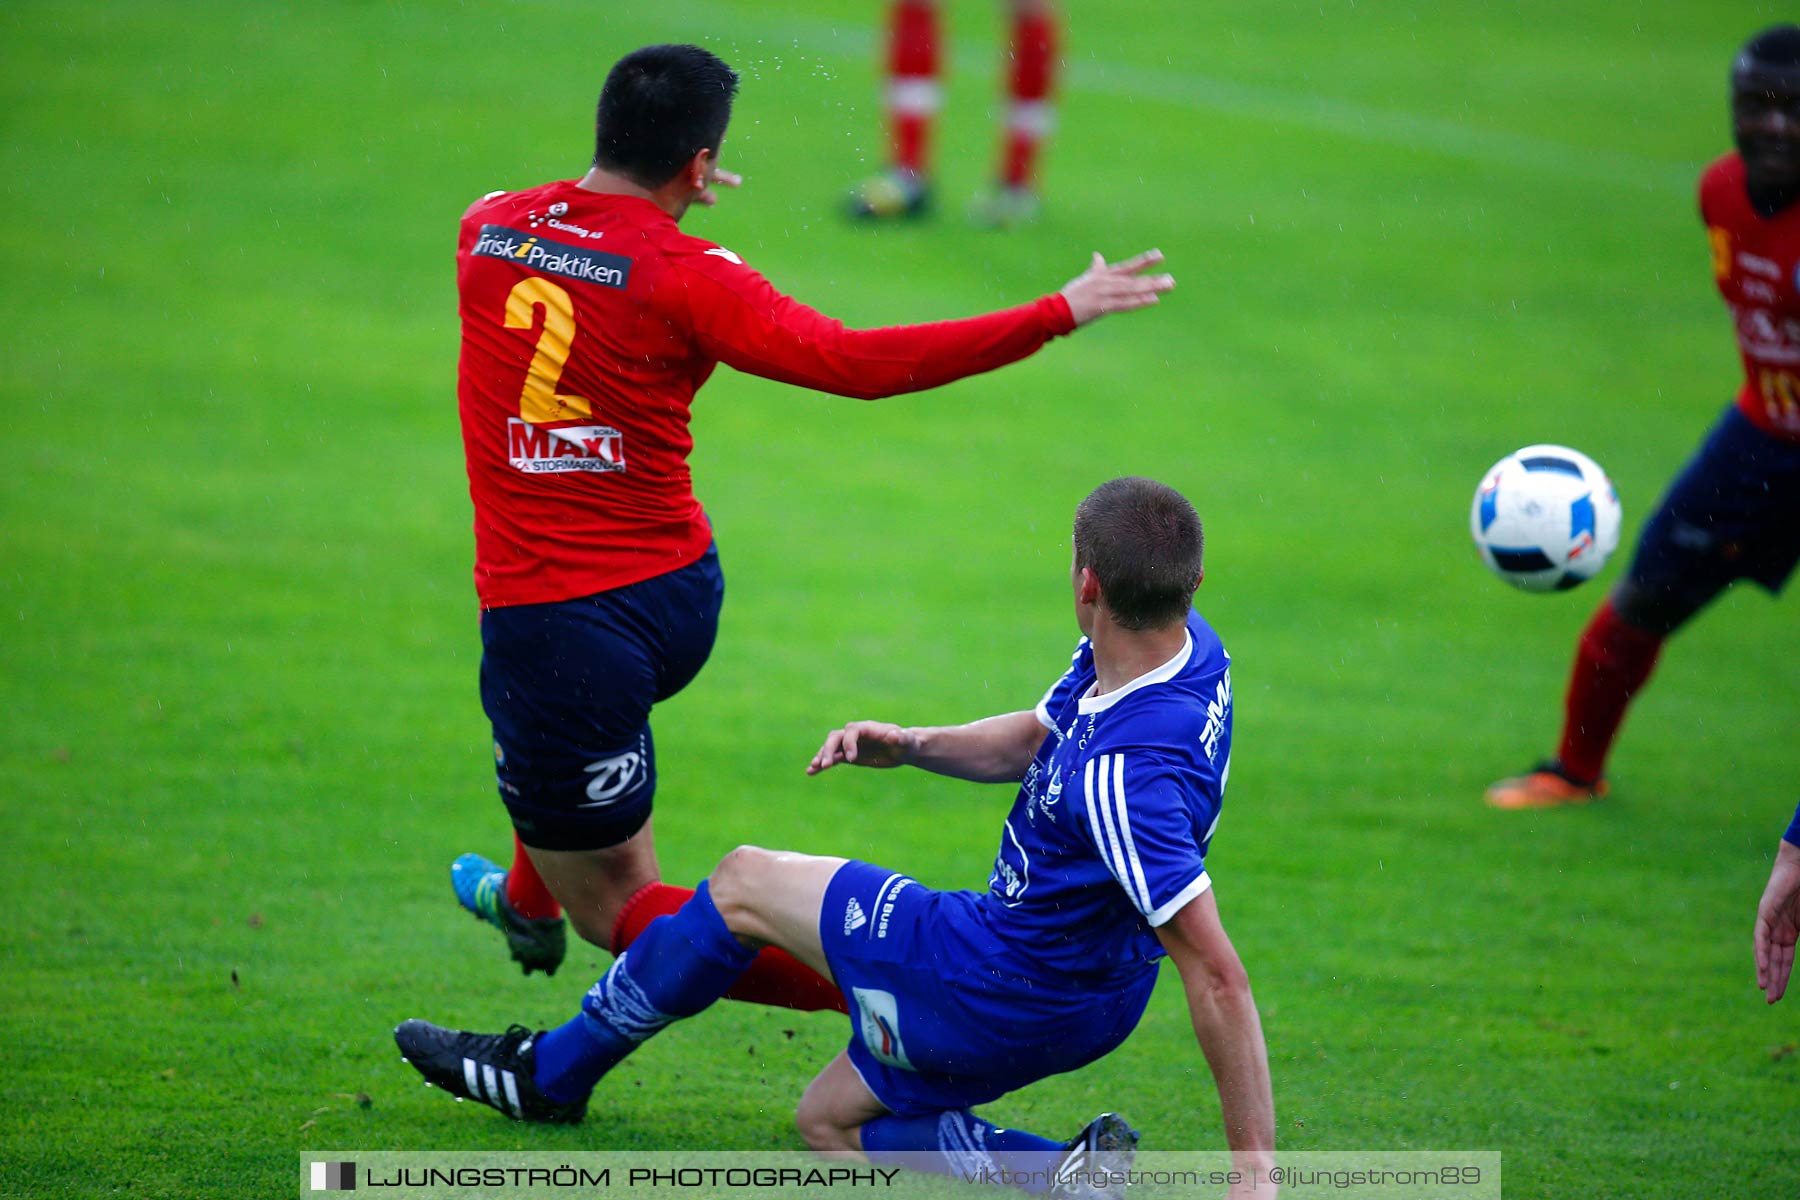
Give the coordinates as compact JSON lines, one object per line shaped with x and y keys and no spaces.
{"x":688,"y":960}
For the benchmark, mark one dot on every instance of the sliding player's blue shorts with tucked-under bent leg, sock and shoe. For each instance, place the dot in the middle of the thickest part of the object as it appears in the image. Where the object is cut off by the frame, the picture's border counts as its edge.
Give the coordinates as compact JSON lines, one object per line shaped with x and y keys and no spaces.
{"x":948,"y":1019}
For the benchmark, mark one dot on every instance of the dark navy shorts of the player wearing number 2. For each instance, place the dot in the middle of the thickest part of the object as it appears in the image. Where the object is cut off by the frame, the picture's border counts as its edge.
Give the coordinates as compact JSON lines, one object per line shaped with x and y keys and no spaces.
{"x":570,"y":688}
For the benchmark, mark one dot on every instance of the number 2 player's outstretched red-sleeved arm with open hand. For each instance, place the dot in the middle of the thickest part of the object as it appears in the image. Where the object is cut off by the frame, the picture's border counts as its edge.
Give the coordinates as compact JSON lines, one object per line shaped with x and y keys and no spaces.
{"x":742,"y":321}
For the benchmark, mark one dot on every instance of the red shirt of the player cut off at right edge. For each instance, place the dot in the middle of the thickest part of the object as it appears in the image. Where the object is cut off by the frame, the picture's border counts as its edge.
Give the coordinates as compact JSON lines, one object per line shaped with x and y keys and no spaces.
{"x":1756,"y":262}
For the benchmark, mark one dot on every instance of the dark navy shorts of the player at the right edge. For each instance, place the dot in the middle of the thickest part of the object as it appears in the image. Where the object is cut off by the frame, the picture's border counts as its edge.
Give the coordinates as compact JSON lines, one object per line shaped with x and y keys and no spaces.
{"x":1734,"y":514}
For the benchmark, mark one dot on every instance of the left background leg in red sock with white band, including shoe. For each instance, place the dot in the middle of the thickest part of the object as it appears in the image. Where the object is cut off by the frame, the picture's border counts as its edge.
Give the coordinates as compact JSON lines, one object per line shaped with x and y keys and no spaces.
{"x":913,"y":98}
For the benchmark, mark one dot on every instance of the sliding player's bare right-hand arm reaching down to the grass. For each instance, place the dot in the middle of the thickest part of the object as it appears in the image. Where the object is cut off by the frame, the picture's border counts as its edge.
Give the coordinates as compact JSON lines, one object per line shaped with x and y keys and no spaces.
{"x":1227,"y":1026}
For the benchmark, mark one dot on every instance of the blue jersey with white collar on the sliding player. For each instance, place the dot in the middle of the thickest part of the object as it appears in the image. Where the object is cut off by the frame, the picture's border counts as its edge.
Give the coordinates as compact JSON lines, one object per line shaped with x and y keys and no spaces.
{"x":1108,"y":837}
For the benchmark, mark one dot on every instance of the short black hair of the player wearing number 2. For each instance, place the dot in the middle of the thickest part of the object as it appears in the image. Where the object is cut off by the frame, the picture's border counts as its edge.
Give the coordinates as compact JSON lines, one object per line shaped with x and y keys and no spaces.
{"x":660,"y":109}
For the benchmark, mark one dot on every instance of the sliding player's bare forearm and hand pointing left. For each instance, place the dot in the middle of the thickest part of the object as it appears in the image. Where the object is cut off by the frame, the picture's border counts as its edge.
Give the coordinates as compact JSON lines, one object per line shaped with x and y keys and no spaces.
{"x":994,"y":749}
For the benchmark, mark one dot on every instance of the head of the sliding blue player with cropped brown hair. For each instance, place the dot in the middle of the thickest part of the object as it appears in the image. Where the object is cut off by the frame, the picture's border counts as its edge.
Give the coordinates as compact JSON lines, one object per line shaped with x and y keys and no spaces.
{"x":1144,"y":542}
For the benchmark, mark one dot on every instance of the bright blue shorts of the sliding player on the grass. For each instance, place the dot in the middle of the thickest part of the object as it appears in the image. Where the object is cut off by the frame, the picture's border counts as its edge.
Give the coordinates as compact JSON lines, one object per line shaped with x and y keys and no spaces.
{"x":948,"y":1017}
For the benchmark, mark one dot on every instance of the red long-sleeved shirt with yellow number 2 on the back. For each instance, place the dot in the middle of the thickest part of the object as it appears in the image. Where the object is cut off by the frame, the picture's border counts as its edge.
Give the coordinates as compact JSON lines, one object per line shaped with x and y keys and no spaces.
{"x":589,"y":321}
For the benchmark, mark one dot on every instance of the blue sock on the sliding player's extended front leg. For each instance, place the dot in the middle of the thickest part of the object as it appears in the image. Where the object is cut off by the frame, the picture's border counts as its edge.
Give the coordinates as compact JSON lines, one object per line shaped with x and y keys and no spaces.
{"x":678,"y":967}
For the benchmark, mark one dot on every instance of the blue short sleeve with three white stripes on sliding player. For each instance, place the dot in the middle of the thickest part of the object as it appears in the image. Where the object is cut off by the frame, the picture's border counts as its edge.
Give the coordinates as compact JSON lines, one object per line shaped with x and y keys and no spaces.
{"x":1149,"y":821}
